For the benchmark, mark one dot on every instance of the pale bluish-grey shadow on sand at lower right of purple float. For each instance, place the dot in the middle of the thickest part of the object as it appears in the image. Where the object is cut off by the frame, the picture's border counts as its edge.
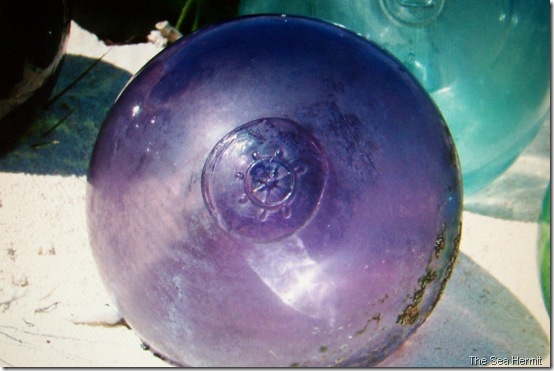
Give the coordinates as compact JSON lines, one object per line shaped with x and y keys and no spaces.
{"x":476,"y":316}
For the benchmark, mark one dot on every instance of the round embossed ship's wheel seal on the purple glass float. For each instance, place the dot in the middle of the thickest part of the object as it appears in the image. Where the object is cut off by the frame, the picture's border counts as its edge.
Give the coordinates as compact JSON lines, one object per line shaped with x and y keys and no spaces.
{"x":265,"y":179}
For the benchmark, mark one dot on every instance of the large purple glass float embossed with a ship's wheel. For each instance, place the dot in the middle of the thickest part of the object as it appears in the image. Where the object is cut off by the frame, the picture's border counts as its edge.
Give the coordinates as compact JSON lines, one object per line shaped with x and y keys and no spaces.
{"x":274,"y":191}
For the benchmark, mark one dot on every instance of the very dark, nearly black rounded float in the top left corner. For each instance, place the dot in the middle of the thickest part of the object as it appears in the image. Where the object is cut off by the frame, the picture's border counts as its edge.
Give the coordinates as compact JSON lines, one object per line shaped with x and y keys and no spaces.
{"x":33,"y":37}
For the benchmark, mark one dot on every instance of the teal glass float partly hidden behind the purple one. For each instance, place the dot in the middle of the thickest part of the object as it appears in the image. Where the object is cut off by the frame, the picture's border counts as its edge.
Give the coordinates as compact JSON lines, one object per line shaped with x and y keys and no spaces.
{"x":485,"y":63}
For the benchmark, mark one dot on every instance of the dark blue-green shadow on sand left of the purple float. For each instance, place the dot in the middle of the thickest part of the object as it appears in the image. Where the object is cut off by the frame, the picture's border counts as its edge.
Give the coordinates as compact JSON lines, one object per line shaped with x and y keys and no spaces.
{"x":61,"y":140}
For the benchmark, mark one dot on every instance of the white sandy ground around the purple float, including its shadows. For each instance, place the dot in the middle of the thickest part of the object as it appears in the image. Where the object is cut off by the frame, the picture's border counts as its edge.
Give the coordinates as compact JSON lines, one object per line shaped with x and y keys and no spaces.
{"x":54,"y":310}
